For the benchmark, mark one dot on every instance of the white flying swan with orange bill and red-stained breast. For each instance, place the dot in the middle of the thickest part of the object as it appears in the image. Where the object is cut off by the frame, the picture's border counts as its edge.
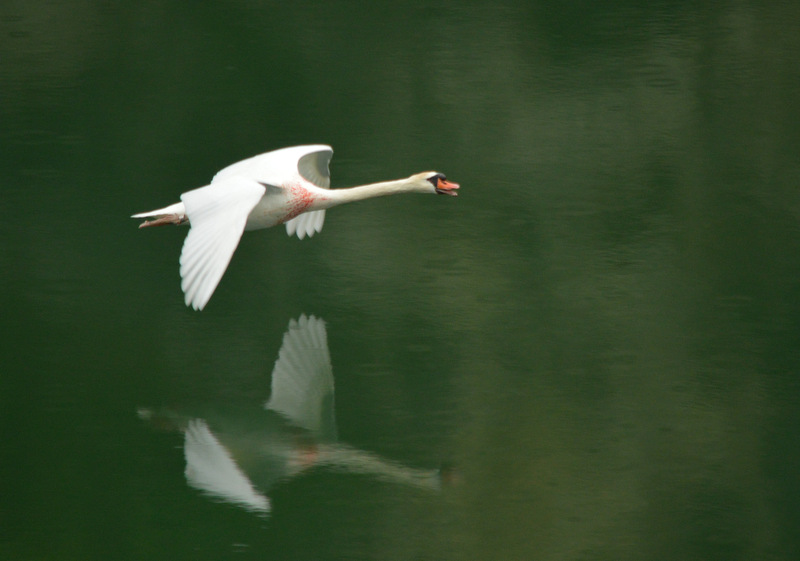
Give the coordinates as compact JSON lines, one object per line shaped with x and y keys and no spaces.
{"x":288,"y":186}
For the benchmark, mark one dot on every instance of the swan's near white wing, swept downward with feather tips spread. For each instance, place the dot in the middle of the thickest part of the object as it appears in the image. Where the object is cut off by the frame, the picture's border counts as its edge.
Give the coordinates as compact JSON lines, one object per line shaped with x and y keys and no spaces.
{"x":217,"y":214}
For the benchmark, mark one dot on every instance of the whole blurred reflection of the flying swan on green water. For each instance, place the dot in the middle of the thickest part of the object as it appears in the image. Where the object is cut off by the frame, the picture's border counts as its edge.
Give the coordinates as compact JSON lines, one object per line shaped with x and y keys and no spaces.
{"x":238,"y":455}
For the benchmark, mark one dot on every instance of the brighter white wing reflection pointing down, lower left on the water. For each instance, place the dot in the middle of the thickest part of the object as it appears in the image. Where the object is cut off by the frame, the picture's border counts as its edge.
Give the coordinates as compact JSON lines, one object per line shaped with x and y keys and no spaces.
{"x":210,"y":468}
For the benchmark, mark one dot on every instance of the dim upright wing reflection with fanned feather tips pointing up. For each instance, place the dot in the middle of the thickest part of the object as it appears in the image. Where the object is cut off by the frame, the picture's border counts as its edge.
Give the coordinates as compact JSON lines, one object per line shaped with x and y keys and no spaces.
{"x":302,"y":380}
